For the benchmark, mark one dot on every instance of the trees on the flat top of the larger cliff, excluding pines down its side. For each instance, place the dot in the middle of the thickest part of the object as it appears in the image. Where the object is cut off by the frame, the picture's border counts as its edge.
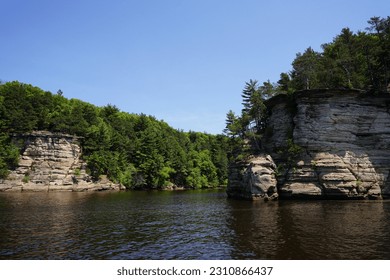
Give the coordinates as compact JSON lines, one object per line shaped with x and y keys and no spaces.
{"x":352,"y":60}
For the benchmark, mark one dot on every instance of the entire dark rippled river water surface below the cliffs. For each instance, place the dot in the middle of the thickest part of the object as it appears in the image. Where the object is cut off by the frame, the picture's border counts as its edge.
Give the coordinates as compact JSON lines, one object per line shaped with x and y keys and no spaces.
{"x":188,"y":225}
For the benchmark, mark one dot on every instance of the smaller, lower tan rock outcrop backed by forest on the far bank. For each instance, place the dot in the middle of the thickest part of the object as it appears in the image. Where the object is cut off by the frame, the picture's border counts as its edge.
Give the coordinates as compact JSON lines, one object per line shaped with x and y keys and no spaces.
{"x":52,"y":162}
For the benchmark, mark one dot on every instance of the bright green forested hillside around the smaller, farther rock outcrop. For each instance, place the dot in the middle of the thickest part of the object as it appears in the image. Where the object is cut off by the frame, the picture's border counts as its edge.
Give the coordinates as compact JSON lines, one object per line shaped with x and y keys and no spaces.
{"x":137,"y":151}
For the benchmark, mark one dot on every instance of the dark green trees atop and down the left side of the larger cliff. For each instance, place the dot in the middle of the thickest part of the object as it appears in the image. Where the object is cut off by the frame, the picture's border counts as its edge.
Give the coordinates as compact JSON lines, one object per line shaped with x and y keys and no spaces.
{"x":352,"y":60}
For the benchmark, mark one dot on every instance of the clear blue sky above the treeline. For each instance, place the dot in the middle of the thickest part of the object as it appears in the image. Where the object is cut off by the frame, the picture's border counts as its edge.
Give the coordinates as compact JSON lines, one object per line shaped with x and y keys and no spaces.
{"x":184,"y":62}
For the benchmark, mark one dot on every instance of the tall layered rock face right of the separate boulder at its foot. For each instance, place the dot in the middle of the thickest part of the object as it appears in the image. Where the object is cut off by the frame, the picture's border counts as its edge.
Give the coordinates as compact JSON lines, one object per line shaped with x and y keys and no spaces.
{"x":345,"y":141}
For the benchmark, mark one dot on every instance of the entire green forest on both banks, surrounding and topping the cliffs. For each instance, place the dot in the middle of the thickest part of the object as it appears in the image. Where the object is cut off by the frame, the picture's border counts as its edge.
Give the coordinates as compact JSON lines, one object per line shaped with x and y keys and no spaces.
{"x":140,"y":151}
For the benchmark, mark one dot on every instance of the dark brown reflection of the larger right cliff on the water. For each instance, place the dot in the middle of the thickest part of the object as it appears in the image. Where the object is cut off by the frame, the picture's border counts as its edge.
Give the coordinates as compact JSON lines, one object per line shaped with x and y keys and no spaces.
{"x":312,"y":230}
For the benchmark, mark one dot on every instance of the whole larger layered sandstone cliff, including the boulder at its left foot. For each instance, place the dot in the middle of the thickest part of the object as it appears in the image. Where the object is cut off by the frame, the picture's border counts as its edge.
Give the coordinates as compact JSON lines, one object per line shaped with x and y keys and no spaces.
{"x":321,"y":144}
